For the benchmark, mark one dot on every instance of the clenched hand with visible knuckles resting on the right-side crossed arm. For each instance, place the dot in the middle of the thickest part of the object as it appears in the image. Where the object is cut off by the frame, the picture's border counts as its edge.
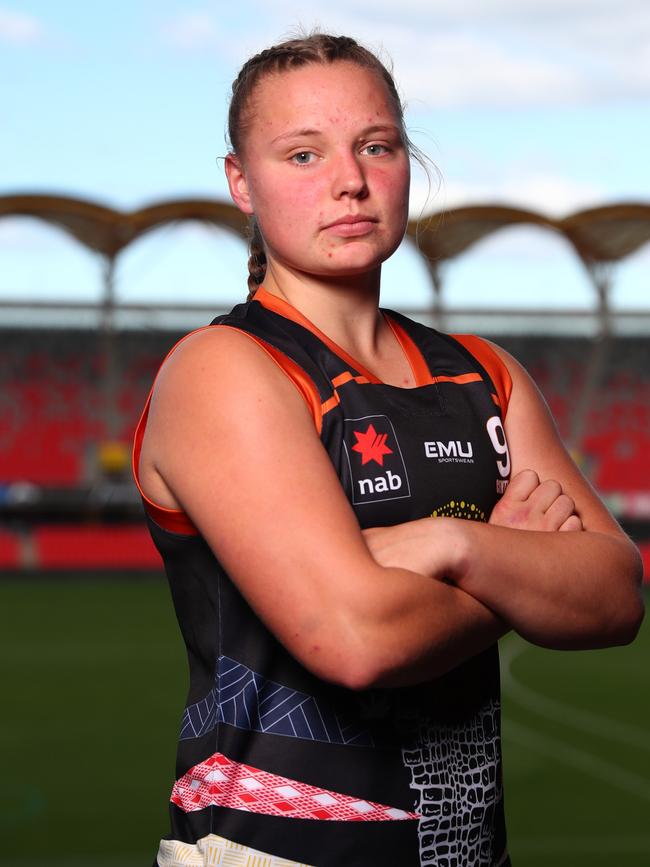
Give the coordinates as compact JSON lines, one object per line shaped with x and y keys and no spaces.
{"x":529,"y":504}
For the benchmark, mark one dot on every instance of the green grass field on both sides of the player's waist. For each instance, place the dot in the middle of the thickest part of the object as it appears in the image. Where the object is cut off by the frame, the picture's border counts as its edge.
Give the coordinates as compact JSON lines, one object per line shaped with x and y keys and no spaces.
{"x":93,"y":684}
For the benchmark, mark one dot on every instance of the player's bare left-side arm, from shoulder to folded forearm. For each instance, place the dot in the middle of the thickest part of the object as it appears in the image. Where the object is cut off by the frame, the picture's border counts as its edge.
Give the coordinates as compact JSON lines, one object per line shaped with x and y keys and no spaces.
{"x":231,"y":442}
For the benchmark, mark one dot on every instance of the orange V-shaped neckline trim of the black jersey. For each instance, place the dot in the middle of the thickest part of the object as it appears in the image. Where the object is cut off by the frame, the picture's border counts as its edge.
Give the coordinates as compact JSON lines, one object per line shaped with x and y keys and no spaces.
{"x":419,"y":368}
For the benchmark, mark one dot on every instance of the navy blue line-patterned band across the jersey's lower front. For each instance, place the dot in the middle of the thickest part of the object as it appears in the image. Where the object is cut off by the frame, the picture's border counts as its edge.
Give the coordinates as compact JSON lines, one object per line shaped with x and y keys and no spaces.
{"x":244,"y":699}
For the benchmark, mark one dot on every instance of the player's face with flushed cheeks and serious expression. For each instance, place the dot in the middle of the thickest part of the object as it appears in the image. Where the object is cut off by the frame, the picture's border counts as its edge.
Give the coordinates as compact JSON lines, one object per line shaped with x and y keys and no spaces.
{"x":324,"y":169}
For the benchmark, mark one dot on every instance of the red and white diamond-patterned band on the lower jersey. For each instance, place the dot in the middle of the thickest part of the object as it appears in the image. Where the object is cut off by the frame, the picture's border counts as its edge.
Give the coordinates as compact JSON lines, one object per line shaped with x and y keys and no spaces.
{"x":219,"y":781}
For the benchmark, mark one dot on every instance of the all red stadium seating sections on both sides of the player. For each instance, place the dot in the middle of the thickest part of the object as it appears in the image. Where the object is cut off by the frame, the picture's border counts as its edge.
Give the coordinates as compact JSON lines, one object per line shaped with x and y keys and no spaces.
{"x":53,"y":416}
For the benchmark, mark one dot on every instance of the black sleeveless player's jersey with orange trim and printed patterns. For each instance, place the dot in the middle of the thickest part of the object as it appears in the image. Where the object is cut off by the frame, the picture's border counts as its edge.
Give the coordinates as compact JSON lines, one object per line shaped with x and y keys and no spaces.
{"x":274,"y":763}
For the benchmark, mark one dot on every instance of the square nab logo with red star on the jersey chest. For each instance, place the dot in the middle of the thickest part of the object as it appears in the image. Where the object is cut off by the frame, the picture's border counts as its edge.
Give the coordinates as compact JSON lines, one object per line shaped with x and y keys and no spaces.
{"x":377,"y":468}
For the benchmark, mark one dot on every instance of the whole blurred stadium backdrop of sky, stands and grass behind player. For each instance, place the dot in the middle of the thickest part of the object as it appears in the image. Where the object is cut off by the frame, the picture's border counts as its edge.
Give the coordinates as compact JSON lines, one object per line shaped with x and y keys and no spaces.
{"x":116,"y":237}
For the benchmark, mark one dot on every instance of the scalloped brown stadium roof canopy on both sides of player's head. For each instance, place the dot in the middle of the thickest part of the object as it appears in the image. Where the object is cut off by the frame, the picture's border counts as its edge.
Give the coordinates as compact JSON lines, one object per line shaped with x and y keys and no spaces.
{"x":599,"y":235}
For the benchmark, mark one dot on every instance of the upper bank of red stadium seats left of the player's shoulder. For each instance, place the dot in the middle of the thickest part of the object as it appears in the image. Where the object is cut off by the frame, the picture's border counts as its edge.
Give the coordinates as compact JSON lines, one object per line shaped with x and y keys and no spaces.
{"x":53,"y":405}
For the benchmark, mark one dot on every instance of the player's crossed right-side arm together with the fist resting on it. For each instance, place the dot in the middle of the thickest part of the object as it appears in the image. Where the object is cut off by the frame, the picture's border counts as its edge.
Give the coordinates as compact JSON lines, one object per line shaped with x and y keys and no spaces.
{"x":557,"y":589}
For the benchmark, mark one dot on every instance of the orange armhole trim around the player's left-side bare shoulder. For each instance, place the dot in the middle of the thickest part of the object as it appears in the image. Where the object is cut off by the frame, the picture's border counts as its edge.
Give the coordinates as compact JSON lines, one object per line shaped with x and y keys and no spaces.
{"x":176,"y":520}
